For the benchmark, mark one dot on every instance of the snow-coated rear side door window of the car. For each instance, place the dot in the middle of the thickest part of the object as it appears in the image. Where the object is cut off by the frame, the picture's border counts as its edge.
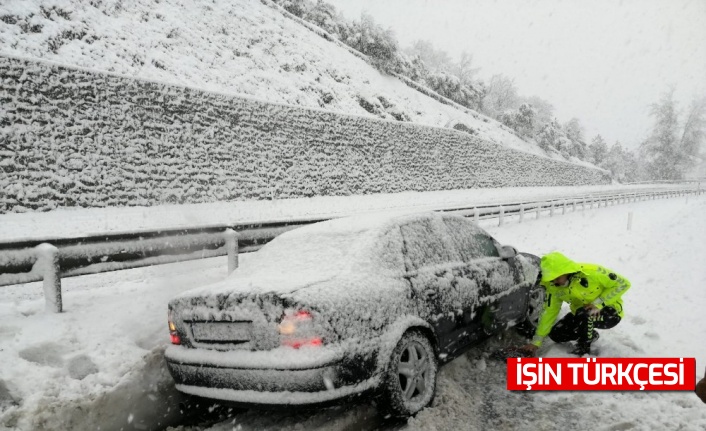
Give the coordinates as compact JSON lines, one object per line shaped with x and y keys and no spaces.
{"x":423,"y":245}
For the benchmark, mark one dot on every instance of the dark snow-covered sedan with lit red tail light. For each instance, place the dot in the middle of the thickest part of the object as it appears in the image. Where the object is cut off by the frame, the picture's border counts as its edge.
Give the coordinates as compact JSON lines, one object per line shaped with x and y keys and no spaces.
{"x":350,"y":306}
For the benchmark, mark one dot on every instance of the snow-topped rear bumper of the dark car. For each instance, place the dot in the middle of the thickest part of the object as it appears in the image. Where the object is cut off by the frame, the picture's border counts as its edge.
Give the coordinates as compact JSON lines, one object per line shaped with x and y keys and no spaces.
{"x":282,"y":377}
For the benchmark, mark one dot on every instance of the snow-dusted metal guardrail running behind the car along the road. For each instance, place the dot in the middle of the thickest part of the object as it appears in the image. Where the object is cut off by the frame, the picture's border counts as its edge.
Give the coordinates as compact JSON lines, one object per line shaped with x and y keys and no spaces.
{"x":51,"y":260}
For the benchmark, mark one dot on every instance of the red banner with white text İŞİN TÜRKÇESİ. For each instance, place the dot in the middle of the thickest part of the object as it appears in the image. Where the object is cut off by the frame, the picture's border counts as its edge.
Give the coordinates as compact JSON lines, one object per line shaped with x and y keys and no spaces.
{"x":601,"y":374}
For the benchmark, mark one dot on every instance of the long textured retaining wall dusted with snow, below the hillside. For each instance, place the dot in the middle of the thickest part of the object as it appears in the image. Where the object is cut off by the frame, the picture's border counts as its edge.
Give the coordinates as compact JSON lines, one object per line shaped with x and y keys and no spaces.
{"x":73,"y":137}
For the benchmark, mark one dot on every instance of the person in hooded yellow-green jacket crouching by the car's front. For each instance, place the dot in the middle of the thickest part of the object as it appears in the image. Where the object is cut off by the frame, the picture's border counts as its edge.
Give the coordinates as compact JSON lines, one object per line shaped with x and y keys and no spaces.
{"x":593,"y":293}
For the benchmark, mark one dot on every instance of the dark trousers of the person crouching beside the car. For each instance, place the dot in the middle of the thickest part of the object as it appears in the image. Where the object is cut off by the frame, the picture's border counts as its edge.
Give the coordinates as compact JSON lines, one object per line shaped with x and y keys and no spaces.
{"x":580,"y":326}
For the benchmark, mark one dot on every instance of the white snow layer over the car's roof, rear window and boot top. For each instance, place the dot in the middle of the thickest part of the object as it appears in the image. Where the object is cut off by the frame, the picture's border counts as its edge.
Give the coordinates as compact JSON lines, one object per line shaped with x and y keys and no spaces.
{"x":349,"y":247}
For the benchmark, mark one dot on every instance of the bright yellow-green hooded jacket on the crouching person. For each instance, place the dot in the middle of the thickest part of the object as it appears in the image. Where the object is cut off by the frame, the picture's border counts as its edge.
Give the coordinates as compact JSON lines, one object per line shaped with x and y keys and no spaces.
{"x":590,"y":284}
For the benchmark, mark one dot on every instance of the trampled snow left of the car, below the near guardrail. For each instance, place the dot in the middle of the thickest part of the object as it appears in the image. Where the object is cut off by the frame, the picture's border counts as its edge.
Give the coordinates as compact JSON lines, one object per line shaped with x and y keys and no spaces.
{"x":100,"y":362}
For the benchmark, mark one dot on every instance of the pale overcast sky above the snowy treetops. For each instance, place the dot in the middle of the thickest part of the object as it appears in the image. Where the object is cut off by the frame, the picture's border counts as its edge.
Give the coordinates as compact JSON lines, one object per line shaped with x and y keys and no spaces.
{"x":602,"y":61}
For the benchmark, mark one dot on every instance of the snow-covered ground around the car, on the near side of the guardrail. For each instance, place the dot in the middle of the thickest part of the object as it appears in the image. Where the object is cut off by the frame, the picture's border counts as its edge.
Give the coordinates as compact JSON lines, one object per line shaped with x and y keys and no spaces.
{"x":98,"y":363}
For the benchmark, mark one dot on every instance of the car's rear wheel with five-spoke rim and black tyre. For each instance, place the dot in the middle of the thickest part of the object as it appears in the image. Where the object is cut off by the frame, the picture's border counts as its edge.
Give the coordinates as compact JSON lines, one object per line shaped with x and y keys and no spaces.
{"x":410,"y":379}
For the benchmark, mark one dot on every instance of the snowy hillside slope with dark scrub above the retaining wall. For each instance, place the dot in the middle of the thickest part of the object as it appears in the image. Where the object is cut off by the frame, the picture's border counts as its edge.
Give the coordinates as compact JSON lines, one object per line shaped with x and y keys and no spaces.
{"x":242,"y":46}
